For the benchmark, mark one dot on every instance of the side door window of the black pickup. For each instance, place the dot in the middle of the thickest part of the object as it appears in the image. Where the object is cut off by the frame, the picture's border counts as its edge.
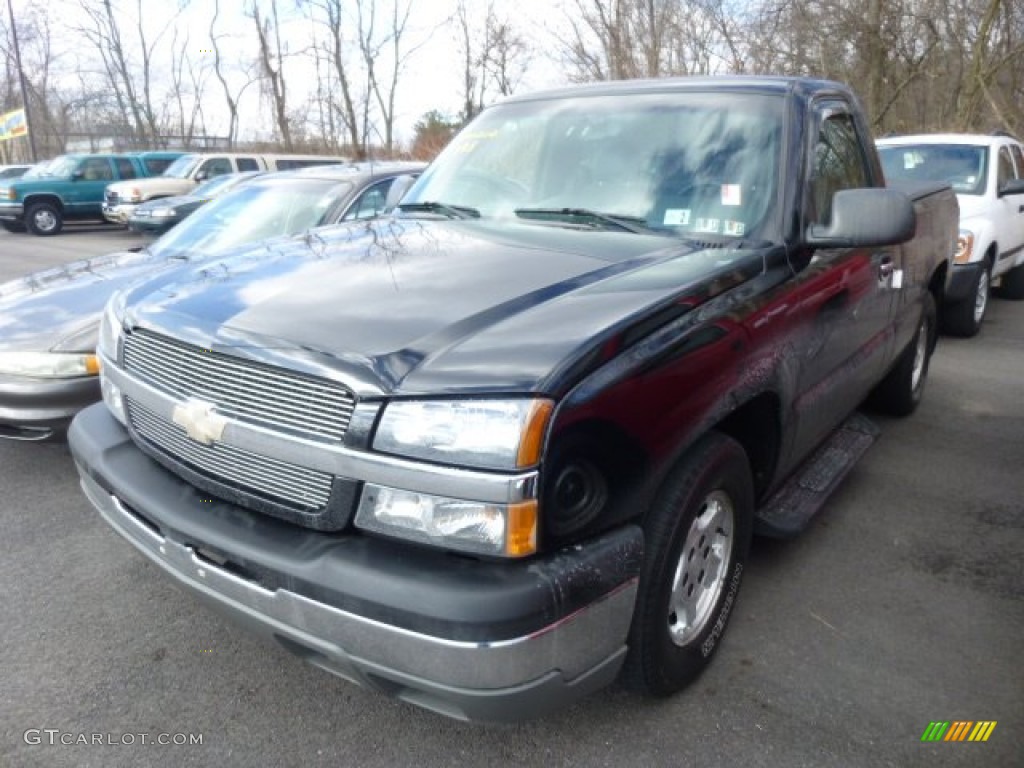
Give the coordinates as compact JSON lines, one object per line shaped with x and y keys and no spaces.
{"x":838,"y":164}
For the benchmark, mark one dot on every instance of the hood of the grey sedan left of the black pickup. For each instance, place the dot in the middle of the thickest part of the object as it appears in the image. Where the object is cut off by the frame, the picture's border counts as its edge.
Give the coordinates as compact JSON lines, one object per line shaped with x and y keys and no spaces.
{"x":63,"y":306}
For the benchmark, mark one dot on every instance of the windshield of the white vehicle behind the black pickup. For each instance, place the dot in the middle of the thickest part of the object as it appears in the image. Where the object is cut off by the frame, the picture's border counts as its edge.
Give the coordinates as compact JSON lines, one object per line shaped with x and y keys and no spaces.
{"x":962,"y":166}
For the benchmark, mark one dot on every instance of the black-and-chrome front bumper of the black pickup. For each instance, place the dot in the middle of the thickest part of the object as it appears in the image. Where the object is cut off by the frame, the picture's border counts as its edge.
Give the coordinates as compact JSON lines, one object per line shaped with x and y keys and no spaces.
{"x":477,"y":641}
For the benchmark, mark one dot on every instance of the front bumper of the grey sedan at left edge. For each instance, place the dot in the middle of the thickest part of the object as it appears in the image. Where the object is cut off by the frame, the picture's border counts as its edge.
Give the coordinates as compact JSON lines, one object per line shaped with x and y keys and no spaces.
{"x":40,"y":409}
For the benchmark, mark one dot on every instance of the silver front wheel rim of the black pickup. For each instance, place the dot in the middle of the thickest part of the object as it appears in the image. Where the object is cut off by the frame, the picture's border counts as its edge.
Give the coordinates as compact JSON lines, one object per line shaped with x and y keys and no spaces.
{"x":701,"y":573}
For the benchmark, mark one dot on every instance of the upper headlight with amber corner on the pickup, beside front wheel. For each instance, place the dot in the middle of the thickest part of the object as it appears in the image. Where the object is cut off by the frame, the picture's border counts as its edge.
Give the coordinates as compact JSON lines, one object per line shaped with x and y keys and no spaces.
{"x":502,"y":435}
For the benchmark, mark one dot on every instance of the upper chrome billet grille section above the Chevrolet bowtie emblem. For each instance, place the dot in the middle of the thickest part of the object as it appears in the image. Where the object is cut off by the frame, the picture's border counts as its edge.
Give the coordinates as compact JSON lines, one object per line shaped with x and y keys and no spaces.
{"x":241,"y":390}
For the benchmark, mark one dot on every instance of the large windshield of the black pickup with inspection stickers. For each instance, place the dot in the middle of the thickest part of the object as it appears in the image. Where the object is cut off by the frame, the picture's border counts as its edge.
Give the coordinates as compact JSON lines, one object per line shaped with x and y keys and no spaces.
{"x":677,"y":163}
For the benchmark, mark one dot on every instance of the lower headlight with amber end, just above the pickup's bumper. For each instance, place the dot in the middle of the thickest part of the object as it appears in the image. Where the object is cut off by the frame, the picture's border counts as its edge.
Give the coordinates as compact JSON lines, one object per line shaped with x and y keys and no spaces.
{"x":501,"y":530}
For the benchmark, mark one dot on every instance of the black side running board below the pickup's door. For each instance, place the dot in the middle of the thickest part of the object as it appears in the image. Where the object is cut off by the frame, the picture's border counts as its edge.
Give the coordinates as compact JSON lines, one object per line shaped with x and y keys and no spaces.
{"x":807,"y":490}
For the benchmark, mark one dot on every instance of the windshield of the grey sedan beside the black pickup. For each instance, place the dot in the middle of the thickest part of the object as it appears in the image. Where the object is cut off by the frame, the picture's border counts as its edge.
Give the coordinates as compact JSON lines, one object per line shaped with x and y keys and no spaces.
{"x":254,"y":211}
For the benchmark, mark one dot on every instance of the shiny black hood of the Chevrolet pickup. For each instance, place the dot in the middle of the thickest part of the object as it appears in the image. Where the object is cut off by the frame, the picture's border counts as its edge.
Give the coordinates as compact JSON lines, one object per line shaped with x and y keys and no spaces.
{"x":430,"y":307}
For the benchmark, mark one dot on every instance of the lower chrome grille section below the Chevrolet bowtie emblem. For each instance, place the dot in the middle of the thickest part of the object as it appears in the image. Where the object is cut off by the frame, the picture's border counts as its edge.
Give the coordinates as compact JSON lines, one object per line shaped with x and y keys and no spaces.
{"x":288,"y":484}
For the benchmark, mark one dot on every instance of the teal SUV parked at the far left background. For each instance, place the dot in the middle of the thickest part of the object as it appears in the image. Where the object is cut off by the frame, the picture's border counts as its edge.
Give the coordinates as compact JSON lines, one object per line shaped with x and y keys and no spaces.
{"x":71,"y":188}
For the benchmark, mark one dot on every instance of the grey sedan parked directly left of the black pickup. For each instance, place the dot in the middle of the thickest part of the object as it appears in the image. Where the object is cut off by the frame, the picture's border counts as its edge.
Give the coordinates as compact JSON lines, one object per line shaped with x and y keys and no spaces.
{"x":50,"y":320}
